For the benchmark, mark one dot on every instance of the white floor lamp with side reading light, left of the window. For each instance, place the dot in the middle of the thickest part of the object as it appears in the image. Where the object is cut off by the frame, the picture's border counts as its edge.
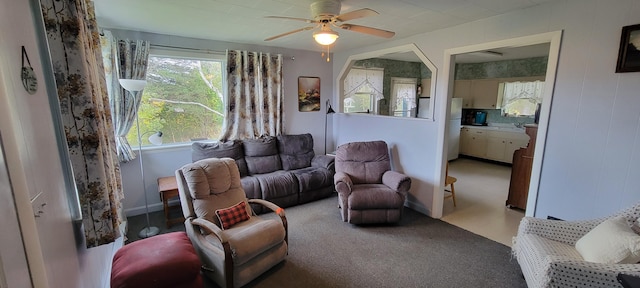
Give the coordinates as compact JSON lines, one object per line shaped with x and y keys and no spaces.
{"x":134,"y":87}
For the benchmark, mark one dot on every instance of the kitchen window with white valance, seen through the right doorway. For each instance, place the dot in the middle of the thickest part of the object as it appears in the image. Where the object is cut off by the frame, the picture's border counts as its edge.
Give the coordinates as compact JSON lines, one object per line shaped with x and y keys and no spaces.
{"x":521,"y":98}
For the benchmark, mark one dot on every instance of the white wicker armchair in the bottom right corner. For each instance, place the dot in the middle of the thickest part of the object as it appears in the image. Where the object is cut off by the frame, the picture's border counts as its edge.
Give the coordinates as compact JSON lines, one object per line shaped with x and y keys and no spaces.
{"x":545,"y":250}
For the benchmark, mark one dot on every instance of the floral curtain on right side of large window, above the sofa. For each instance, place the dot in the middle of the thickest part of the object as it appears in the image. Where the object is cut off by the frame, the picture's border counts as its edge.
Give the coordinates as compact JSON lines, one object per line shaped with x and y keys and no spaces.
{"x":254,"y":106}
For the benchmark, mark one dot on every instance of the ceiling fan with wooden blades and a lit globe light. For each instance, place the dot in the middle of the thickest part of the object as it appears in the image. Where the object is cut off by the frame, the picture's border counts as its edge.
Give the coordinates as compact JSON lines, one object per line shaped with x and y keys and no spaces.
{"x":325,"y":14}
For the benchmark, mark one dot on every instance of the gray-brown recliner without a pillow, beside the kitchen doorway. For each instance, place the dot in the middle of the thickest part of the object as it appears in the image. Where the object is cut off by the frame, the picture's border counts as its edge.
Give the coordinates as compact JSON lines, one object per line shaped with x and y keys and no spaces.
{"x":368,"y":191}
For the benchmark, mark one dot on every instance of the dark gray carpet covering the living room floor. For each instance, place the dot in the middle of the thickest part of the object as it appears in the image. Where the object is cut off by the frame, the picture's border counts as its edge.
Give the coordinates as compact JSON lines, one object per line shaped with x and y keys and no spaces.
{"x":418,"y":252}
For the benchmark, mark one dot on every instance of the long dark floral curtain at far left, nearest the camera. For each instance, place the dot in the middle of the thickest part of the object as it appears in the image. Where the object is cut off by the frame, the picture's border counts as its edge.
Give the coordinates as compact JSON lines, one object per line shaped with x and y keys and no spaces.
{"x":76,"y":58}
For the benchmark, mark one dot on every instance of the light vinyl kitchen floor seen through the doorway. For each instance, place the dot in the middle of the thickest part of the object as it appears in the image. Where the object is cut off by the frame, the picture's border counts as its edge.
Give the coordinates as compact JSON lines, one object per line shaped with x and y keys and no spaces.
{"x":481,"y":191}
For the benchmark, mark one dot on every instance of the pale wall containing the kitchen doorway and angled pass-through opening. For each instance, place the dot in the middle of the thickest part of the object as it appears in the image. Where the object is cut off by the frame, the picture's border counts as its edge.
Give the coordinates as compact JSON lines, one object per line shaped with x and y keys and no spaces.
{"x":591,"y":166}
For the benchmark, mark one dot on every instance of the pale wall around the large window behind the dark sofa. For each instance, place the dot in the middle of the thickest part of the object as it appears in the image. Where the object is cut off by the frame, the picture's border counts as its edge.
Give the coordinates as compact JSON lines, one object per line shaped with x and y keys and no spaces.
{"x":163,"y":162}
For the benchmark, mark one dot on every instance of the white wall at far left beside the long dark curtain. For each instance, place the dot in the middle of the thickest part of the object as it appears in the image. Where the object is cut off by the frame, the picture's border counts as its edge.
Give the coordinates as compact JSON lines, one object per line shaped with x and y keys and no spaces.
{"x":55,"y":259}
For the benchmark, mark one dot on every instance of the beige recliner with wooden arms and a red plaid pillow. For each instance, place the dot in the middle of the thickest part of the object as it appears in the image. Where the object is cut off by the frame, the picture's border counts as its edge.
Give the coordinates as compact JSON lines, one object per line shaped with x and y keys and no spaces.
{"x":235,"y":255}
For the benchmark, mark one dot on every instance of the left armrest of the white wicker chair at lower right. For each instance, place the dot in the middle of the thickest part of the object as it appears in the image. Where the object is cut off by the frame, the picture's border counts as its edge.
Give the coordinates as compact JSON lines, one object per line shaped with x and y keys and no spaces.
{"x":568,"y":232}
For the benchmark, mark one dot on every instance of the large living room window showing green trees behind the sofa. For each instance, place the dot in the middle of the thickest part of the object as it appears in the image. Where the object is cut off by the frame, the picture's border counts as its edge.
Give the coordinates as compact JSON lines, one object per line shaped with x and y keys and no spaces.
{"x":184,"y":98}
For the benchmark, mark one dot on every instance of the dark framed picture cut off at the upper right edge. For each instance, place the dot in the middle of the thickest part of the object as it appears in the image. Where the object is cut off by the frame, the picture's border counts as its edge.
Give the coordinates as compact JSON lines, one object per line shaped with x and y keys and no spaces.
{"x":629,"y":53}
